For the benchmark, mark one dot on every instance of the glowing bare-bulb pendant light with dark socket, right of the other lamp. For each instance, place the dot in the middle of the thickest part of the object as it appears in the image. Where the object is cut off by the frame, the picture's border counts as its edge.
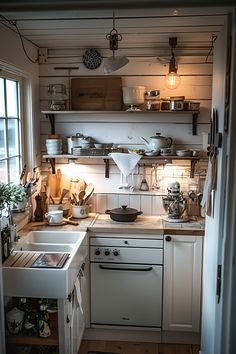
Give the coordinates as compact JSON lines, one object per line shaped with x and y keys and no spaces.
{"x":172,"y":79}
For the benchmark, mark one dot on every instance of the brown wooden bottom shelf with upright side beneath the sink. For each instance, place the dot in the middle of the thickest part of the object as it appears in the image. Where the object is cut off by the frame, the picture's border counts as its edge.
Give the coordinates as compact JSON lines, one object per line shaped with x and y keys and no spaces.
{"x":36,"y":340}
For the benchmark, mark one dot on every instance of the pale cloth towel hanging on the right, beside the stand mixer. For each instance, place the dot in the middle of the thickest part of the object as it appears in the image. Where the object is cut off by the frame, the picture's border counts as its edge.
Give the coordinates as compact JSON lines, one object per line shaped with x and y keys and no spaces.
{"x":210,"y":184}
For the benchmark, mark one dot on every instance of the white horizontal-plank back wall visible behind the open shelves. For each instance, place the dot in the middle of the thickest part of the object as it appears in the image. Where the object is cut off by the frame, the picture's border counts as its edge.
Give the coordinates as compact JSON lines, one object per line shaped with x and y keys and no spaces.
{"x":125,"y":129}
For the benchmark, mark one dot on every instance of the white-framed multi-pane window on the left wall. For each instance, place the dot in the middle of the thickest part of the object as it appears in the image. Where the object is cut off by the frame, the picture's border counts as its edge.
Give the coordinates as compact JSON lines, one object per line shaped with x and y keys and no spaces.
{"x":10,"y":130}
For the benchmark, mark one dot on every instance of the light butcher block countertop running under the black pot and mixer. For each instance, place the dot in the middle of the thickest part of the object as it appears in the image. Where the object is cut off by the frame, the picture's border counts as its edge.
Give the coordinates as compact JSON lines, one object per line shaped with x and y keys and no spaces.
{"x":103,"y":223}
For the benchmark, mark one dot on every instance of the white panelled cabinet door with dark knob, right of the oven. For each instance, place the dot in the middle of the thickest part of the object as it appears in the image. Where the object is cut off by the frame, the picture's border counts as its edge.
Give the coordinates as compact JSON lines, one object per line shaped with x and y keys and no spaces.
{"x":182,"y":283}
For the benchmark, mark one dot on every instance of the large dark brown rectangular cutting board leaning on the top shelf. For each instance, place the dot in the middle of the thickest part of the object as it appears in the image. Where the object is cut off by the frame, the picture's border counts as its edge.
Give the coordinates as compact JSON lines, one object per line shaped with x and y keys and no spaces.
{"x":96,"y":94}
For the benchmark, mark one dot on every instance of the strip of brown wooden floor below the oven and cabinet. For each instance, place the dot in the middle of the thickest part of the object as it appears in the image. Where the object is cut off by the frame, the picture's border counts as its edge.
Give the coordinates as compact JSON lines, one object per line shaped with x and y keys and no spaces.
{"x":113,"y":347}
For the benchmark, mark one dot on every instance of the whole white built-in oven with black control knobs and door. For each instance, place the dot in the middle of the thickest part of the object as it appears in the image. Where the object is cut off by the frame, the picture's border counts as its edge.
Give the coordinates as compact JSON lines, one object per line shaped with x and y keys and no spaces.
{"x":126,"y":280}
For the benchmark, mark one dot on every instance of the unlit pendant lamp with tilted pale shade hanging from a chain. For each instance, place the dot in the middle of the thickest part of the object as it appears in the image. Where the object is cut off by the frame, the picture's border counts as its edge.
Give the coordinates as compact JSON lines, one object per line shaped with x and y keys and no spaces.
{"x":114,"y":63}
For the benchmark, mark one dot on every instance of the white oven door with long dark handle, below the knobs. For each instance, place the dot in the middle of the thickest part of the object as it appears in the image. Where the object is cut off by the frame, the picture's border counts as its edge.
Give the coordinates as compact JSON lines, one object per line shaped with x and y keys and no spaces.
{"x":126,"y":294}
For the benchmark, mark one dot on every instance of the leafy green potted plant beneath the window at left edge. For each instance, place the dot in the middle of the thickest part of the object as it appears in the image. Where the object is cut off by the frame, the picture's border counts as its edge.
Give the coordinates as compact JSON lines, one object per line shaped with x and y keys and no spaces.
{"x":10,"y":195}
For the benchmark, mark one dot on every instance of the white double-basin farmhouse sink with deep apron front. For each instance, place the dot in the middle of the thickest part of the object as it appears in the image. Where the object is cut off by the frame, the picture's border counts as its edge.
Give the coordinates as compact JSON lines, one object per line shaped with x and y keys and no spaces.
{"x":47,"y":282}
